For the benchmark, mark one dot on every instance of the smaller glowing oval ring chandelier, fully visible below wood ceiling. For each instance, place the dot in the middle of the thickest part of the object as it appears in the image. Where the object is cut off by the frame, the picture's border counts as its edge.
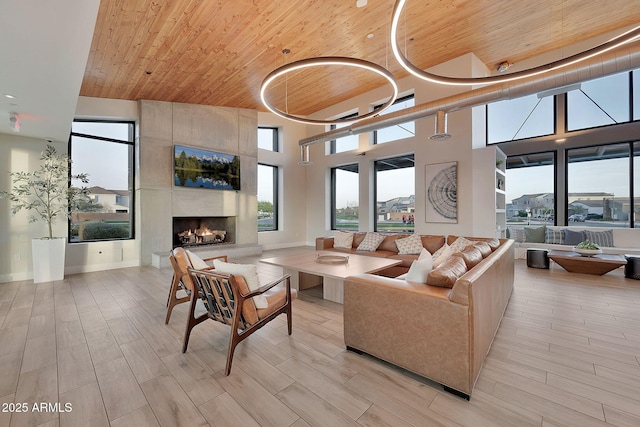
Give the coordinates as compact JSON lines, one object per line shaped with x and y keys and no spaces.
{"x":327,"y":60}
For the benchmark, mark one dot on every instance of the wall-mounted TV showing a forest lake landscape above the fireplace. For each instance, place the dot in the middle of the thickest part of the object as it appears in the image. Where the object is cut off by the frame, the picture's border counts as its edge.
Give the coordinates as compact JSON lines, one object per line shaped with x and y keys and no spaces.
{"x":199,"y":168}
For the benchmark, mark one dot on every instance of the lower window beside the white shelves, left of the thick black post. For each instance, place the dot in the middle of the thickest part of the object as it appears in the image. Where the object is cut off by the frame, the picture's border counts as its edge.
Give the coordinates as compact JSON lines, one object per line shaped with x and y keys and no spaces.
{"x":530,"y":189}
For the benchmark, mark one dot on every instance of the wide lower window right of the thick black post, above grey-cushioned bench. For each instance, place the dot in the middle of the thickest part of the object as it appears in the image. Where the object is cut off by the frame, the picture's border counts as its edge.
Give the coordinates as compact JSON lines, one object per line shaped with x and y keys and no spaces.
{"x":598,"y":186}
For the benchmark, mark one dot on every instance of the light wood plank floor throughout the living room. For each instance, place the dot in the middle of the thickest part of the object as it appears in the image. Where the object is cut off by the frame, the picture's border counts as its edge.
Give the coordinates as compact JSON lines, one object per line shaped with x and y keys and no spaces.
{"x":567,"y":354}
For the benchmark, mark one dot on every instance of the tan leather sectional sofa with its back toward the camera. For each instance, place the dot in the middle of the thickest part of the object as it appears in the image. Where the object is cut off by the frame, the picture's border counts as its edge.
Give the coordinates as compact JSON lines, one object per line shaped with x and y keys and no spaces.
{"x":440,"y":333}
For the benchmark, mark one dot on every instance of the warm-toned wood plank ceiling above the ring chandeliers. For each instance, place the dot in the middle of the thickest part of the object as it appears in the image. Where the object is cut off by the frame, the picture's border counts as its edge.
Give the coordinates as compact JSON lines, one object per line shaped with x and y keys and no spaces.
{"x":217,"y":52}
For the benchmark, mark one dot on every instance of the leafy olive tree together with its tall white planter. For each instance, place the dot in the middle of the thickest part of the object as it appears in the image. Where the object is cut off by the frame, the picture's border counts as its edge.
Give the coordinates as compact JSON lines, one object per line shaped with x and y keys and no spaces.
{"x":47,"y":196}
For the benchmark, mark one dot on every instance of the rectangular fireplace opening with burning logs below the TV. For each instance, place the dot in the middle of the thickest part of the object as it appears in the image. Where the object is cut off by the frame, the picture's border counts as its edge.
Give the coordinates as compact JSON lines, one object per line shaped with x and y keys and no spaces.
{"x":203,"y":231}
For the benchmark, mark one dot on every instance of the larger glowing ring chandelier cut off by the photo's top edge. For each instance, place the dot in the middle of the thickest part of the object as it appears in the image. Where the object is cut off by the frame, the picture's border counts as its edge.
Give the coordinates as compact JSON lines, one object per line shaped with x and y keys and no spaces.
{"x":434,"y":78}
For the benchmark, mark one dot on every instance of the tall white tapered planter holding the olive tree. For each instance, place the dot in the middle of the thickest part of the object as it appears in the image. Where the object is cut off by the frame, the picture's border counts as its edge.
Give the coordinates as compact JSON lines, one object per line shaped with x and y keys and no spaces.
{"x":48,"y":259}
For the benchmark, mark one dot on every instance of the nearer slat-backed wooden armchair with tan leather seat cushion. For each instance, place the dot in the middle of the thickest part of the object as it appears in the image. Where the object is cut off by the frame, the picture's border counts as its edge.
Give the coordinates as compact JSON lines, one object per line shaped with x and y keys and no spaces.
{"x":228,"y":300}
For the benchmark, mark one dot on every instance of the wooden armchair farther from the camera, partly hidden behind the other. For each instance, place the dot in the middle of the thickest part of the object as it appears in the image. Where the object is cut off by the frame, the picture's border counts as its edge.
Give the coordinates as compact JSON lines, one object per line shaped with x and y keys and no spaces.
{"x":181,"y":280}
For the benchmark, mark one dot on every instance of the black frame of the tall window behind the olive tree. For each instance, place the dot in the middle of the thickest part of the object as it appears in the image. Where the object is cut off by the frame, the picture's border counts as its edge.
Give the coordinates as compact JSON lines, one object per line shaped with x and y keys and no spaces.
{"x":131,"y":178}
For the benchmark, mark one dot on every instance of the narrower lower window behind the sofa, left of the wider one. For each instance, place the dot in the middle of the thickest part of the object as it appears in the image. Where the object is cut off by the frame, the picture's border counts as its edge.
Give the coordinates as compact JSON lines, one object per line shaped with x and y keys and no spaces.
{"x":344,"y":198}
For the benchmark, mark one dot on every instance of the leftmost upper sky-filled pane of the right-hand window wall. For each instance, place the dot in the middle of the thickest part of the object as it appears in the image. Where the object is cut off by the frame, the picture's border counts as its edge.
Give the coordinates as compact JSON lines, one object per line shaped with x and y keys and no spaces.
{"x":519,"y":118}
